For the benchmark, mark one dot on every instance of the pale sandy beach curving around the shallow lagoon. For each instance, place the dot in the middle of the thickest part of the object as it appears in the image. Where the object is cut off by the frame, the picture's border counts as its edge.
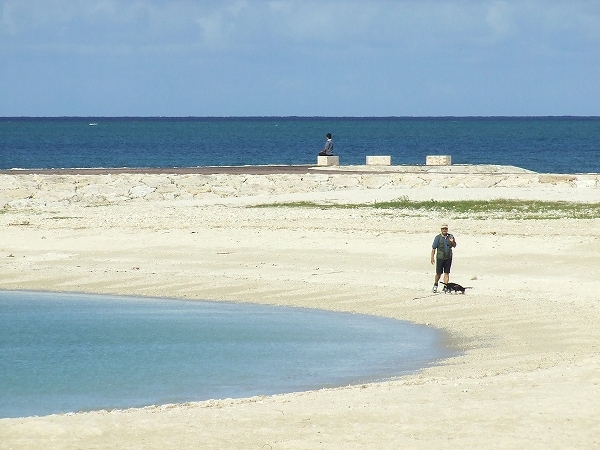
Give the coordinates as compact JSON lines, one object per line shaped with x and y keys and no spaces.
{"x":528,"y":326}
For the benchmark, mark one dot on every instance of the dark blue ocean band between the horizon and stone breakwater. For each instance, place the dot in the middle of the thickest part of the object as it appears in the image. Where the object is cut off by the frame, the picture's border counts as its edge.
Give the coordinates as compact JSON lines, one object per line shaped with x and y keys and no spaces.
{"x":541,"y":144}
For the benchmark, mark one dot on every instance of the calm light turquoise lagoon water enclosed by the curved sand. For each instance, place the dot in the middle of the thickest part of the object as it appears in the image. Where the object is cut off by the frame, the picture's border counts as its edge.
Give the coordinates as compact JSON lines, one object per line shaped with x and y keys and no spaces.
{"x":71,"y":352}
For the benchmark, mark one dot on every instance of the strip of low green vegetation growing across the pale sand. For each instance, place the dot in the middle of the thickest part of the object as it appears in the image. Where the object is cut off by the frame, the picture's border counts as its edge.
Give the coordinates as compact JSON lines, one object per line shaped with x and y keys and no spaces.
{"x":478,"y":209}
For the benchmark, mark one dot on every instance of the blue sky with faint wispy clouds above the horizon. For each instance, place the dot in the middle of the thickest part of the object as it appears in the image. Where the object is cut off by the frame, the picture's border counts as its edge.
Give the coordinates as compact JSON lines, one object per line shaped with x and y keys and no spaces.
{"x":299,"y":58}
